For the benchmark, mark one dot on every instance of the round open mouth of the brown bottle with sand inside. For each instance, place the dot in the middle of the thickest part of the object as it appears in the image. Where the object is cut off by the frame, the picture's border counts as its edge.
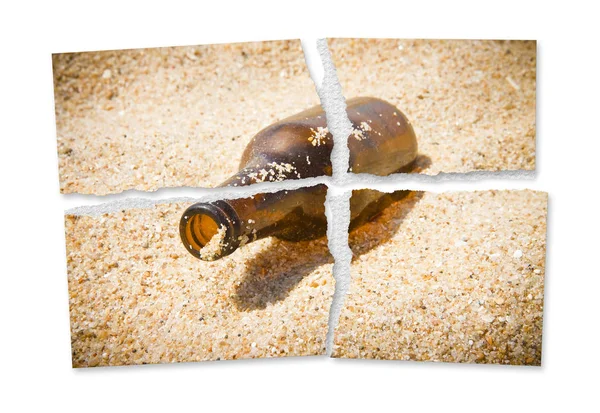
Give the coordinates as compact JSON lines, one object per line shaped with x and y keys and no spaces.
{"x":209,"y":231}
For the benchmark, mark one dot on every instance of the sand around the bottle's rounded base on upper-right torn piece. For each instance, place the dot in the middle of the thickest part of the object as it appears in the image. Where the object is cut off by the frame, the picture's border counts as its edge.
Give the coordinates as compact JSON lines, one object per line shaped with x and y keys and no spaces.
{"x":471,"y":102}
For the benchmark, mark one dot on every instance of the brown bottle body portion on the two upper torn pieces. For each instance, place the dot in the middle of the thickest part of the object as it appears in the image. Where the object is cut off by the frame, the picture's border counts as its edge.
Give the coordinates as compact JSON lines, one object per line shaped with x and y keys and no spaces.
{"x":383,"y":142}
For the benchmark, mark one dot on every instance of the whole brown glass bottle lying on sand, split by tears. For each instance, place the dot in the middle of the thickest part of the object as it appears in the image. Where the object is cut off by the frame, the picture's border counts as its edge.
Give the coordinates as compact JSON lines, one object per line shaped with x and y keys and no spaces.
{"x":382,"y":142}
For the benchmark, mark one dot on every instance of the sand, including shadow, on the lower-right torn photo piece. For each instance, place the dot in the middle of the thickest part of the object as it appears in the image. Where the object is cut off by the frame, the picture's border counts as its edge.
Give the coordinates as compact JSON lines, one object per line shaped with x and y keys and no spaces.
{"x":453,"y":277}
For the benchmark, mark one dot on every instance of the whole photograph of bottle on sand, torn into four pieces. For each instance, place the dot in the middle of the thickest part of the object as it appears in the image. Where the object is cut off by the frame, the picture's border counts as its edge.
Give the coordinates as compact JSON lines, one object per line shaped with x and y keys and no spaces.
{"x":451,"y":277}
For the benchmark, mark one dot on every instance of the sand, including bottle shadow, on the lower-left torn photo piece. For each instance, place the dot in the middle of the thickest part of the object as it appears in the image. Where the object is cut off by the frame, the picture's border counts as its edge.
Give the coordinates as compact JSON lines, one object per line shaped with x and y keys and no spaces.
{"x":136,"y":296}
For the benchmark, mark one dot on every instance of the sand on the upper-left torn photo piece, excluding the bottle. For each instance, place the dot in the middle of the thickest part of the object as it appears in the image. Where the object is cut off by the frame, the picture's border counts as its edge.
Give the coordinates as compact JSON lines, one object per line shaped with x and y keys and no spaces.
{"x":163,"y":117}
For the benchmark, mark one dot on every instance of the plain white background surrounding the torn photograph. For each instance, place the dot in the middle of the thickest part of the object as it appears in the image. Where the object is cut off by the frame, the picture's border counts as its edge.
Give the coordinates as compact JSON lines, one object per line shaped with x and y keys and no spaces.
{"x":35,"y":341}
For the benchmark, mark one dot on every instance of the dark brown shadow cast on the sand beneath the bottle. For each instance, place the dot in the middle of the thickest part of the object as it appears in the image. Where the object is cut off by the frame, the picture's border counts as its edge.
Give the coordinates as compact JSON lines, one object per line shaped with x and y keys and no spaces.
{"x":273,"y":273}
